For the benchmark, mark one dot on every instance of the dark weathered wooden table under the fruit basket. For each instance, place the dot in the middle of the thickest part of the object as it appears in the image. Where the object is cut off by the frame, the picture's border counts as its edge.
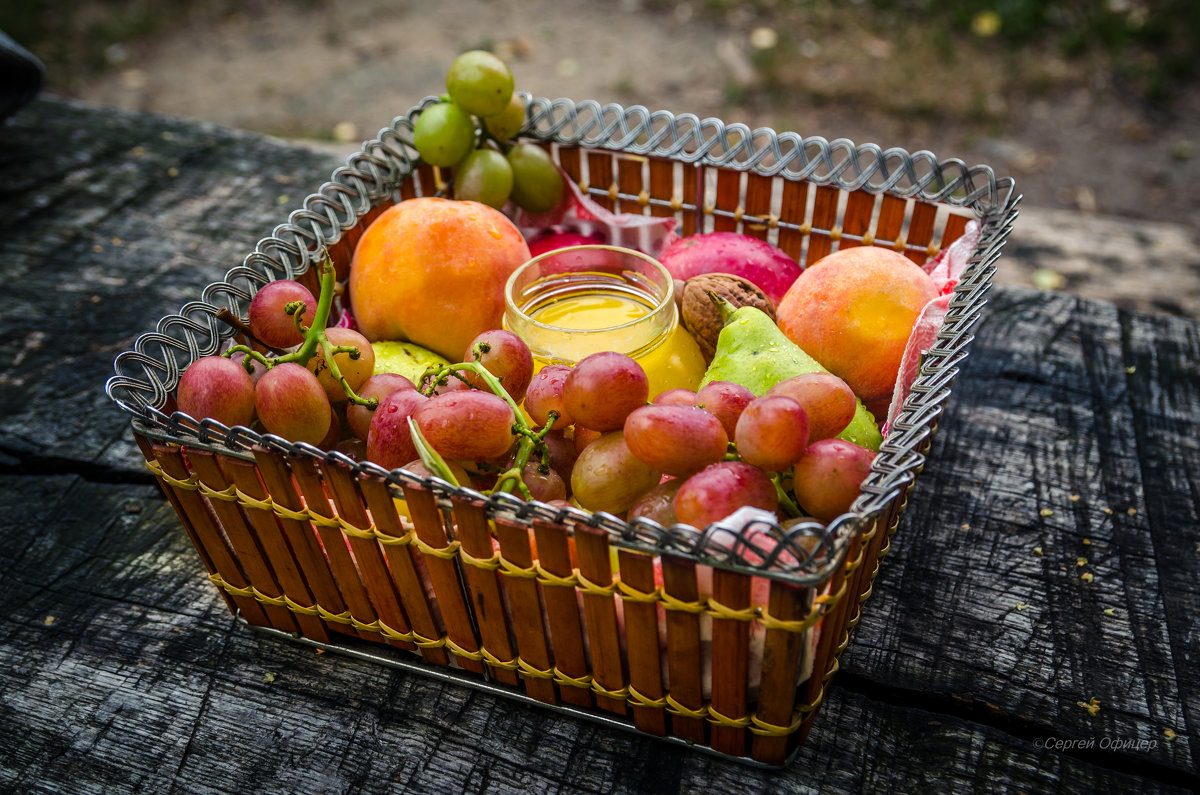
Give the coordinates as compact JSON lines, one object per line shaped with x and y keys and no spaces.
{"x":1036,"y":626}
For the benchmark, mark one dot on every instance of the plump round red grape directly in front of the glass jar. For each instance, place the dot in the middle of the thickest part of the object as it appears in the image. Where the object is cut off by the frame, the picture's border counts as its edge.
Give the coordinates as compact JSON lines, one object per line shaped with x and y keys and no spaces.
{"x":603,"y":390}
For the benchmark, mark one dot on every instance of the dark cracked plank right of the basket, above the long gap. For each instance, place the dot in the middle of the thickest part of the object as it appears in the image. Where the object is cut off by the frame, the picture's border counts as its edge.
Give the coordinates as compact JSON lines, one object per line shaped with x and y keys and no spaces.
{"x":1031,"y":576}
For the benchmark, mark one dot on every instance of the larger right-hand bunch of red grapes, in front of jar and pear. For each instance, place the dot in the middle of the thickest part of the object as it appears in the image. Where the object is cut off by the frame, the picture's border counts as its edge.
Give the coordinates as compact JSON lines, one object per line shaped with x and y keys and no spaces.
{"x":587,"y":435}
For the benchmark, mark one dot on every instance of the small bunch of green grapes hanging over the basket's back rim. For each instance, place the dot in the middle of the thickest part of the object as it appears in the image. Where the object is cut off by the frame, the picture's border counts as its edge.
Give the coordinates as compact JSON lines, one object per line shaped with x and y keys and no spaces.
{"x":472,"y":130}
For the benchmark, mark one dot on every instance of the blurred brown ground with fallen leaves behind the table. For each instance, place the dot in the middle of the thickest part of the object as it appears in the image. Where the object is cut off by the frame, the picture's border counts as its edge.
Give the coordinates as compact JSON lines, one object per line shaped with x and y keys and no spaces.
{"x":1093,"y":105}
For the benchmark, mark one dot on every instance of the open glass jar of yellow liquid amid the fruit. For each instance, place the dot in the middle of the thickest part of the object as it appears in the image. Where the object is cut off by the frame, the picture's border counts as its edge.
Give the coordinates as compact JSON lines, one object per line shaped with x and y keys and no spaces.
{"x":574,"y":302}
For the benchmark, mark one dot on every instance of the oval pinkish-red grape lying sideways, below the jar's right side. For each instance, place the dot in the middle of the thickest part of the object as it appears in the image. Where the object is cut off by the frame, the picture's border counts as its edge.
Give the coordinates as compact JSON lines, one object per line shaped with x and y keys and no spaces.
{"x":677,"y":440}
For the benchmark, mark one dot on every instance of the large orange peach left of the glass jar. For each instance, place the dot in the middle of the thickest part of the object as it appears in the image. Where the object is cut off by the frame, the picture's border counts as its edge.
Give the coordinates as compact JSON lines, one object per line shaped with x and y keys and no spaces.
{"x":433,"y":272}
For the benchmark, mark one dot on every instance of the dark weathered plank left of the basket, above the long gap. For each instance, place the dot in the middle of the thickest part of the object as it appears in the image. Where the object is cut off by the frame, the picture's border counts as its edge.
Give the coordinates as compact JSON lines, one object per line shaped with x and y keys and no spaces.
{"x":109,"y":222}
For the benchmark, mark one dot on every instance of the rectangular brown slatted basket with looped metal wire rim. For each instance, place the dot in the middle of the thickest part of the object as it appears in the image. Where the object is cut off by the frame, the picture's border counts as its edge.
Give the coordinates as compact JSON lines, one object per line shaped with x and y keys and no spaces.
{"x":723,"y":638}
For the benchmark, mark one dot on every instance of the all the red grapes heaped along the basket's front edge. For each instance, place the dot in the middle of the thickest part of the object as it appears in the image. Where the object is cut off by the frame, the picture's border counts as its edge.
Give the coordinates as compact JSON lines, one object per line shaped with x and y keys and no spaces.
{"x":585,"y":435}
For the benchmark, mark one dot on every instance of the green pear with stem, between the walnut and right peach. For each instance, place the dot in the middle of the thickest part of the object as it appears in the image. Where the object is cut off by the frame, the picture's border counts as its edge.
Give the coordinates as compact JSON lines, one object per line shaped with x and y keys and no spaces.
{"x":753,"y":352}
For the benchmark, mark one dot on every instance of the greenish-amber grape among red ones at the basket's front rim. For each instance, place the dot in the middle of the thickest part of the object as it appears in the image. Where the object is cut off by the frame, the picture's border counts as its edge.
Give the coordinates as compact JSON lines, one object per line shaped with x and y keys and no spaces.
{"x":609,"y":477}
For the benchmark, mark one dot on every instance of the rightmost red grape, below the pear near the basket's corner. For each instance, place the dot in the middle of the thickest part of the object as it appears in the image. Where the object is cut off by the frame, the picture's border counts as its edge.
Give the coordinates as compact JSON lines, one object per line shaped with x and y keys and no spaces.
{"x":830,"y":477}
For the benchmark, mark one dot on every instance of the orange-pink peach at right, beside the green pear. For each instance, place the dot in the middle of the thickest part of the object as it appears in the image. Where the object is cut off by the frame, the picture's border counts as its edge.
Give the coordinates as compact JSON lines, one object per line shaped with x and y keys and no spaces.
{"x":854,"y":312}
